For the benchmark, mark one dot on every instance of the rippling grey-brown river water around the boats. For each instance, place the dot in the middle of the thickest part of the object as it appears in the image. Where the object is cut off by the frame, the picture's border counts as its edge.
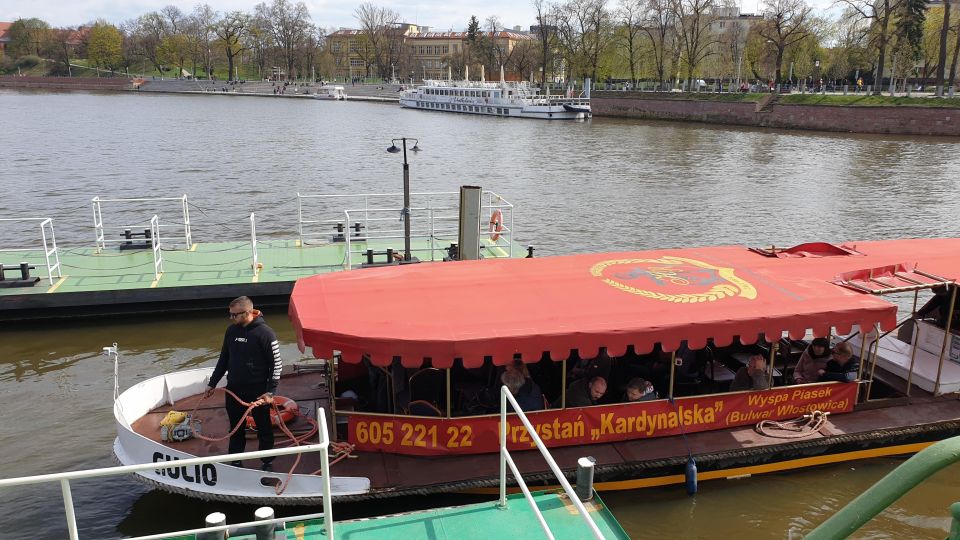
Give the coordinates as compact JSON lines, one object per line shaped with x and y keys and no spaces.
{"x":599,"y":185}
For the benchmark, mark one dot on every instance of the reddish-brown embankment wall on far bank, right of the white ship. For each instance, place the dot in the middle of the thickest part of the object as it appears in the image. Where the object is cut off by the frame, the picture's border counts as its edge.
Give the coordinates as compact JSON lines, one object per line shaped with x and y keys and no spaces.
{"x":902,"y":120}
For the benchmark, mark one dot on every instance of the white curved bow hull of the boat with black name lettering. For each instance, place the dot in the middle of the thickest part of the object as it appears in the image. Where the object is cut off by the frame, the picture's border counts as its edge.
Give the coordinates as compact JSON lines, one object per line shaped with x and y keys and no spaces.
{"x":210,"y":481}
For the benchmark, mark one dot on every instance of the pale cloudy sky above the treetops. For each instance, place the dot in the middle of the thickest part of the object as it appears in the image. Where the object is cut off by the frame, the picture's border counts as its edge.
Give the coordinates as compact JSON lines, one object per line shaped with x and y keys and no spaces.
{"x":439,"y":15}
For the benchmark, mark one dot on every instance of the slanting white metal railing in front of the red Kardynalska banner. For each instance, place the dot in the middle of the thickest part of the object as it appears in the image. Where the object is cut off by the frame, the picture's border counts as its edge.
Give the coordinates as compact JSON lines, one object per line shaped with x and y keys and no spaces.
{"x":506,"y":459}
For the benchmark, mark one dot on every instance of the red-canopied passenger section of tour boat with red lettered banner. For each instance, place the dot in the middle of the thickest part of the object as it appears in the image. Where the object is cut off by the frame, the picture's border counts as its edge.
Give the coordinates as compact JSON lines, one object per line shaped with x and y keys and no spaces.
{"x":410,"y":356}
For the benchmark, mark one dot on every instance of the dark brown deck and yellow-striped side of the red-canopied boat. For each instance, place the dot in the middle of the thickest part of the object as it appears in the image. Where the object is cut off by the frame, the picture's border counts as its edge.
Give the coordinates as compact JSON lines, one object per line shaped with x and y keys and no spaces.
{"x":877,"y":428}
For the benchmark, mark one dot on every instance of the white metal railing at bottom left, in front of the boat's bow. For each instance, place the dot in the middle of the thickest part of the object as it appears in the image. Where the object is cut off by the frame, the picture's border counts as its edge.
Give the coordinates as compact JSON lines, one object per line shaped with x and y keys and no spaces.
{"x":64,"y":480}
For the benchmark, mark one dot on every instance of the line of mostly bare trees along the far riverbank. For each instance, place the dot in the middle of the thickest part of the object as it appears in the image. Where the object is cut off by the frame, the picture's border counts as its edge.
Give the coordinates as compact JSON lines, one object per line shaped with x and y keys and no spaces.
{"x":664,"y":41}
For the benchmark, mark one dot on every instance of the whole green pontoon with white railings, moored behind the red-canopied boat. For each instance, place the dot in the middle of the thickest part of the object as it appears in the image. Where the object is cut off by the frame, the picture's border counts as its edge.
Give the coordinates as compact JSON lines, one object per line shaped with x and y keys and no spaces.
{"x":149,"y":254}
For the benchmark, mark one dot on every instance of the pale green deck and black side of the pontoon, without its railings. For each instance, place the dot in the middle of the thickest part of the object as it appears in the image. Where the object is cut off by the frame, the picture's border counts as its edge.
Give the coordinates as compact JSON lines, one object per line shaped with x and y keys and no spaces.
{"x":123,"y":281}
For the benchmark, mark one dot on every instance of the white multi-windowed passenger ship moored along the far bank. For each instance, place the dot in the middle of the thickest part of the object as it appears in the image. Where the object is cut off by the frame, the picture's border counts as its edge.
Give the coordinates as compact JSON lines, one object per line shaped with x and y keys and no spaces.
{"x":507,"y":99}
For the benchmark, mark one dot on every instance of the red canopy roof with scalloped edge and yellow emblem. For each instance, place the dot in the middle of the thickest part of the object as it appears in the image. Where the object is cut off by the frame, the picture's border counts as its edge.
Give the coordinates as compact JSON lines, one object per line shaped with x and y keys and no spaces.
{"x":501,"y":307}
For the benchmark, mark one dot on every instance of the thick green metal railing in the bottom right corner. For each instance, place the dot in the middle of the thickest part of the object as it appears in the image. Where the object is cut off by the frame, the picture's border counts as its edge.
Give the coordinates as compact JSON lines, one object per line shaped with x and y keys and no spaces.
{"x":890,"y":488}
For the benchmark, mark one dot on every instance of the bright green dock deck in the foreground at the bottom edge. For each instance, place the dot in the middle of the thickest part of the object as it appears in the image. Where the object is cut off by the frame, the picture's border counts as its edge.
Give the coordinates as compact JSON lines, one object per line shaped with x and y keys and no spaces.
{"x":482,"y":520}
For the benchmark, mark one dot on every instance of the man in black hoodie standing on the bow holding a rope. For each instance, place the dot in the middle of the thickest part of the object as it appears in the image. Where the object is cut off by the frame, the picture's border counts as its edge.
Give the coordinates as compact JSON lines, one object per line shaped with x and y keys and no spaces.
{"x":251,"y":357}
